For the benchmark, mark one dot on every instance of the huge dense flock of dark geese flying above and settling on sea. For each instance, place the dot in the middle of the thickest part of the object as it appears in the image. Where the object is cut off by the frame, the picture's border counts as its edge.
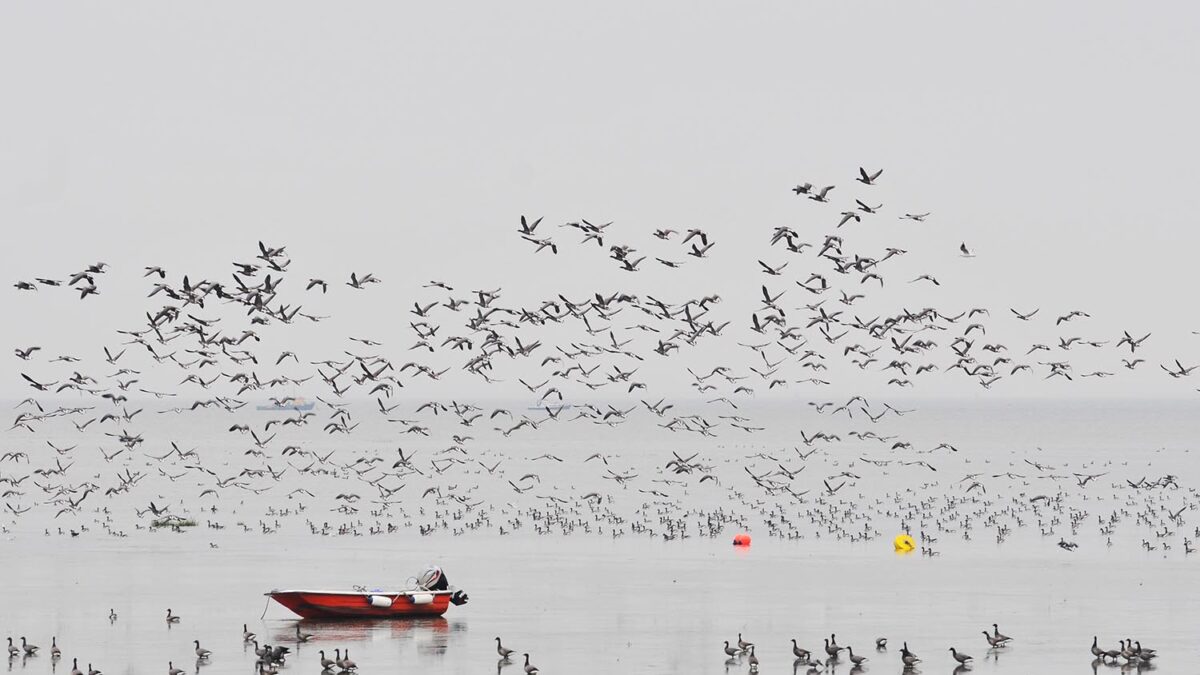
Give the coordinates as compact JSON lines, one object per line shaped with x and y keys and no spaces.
{"x":98,"y":445}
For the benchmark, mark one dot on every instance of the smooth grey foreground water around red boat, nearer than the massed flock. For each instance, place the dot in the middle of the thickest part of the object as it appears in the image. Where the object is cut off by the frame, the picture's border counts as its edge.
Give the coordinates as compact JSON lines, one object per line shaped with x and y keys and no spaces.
{"x":592,"y":606}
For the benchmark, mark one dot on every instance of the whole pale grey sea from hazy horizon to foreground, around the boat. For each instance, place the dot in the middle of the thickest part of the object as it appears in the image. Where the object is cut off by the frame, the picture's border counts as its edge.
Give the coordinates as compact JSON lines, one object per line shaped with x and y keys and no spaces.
{"x":593,"y":602}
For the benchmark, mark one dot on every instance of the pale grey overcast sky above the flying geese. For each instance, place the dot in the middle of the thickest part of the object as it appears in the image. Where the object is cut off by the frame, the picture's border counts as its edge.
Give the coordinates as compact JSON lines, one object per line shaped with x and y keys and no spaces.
{"x":1059,"y":140}
